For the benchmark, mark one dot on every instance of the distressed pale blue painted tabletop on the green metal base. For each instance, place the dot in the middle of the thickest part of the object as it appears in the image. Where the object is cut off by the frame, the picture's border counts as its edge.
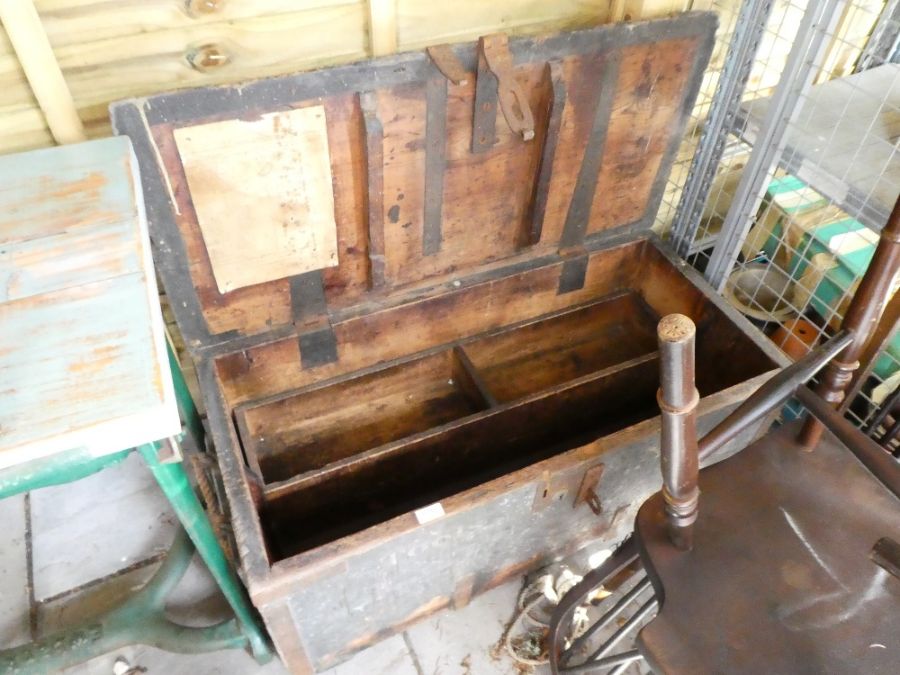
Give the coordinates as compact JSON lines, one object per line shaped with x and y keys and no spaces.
{"x":82,"y":349}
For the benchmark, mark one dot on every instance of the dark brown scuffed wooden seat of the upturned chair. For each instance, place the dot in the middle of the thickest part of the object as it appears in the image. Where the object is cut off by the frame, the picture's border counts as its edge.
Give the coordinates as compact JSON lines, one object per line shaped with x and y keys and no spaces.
{"x":779,"y":579}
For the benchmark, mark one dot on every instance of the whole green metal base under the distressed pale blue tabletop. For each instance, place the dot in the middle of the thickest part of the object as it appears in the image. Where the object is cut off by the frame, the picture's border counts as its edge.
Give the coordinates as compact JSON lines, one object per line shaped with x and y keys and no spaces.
{"x":141,"y":618}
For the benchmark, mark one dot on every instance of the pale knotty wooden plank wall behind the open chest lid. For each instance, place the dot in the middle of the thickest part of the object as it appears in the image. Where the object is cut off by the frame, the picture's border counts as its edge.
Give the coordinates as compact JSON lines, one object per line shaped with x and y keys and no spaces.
{"x":113,"y":50}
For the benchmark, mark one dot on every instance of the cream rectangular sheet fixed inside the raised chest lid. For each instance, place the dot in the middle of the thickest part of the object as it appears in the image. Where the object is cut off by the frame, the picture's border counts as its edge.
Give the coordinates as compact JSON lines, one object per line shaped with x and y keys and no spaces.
{"x":262,"y":193}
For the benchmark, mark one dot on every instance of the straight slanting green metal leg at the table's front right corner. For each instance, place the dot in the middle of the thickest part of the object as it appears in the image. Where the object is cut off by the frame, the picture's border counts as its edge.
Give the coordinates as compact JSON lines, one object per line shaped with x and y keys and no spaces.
{"x":174,"y":482}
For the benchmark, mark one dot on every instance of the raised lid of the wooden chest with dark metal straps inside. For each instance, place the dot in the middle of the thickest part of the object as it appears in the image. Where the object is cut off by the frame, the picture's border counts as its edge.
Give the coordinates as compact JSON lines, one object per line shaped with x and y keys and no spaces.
{"x":277,"y":204}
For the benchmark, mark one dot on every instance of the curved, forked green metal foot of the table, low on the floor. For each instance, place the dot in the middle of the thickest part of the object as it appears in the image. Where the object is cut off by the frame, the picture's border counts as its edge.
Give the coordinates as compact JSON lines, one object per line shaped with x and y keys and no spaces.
{"x":139,"y":620}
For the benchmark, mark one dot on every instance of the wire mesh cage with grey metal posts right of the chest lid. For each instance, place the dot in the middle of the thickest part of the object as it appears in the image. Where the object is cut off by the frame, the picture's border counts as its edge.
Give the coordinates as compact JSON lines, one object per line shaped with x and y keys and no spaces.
{"x":790,"y":169}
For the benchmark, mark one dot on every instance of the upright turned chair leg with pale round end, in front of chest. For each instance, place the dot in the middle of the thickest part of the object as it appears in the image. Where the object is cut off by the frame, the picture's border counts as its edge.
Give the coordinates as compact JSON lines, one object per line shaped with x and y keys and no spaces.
{"x":678,"y":399}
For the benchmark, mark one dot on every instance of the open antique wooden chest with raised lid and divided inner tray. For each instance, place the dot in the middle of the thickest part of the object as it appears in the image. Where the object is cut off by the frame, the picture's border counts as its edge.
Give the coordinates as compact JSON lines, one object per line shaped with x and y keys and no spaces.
{"x":422,"y":293}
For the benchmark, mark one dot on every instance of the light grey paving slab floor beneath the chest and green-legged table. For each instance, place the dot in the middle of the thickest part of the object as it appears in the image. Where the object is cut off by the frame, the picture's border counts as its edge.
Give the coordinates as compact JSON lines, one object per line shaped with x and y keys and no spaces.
{"x":70,"y":551}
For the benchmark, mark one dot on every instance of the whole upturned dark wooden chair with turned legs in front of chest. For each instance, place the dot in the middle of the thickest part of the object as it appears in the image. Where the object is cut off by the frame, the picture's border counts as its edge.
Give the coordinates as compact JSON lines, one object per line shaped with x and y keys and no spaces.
{"x":788,"y":561}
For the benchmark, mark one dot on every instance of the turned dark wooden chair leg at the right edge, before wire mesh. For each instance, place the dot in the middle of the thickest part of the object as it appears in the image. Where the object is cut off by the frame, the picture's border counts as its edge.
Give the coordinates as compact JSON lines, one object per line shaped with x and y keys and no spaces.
{"x":861,"y":320}
